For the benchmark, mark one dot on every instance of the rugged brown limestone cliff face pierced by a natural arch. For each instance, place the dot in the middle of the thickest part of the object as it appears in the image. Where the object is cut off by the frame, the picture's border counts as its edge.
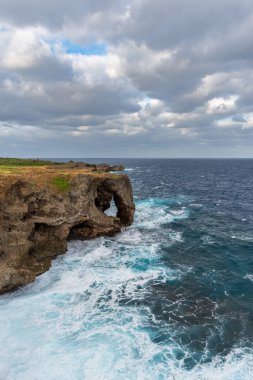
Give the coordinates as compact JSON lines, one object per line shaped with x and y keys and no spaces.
{"x":35,"y":223}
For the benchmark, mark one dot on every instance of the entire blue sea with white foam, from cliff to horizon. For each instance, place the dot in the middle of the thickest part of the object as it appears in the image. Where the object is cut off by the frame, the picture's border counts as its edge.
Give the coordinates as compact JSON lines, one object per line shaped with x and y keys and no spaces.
{"x":171,"y":297}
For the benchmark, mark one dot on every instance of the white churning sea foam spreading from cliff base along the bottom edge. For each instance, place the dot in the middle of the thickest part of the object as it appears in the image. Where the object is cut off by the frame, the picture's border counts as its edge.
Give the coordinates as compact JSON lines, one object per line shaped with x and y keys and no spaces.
{"x":84,"y":319}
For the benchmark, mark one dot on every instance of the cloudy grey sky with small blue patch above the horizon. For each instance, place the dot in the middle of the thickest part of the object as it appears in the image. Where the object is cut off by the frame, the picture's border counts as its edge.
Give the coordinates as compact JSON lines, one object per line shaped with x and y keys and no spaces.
{"x":126,"y":78}
